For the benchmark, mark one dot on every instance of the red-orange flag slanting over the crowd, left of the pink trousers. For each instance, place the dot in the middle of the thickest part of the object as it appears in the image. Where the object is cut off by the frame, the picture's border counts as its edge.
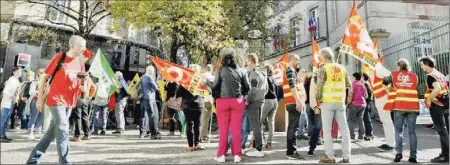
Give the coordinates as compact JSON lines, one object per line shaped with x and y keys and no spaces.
{"x":185,"y":77}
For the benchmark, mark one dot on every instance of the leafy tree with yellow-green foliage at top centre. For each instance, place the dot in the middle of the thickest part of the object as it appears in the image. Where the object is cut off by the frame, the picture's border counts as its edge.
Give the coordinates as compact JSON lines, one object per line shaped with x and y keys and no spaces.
{"x":195,"y":26}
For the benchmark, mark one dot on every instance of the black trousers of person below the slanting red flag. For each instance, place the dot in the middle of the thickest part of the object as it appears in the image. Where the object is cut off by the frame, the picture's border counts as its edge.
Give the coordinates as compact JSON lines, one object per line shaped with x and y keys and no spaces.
{"x":193,"y":126}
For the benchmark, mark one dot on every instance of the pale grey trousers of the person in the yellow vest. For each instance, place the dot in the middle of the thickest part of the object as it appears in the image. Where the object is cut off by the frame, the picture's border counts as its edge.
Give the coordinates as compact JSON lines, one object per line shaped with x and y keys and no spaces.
{"x":337,"y":111}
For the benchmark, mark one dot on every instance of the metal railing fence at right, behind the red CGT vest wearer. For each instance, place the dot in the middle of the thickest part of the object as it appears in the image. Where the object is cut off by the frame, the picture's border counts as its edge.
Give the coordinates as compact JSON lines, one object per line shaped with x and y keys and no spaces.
{"x":427,"y":38}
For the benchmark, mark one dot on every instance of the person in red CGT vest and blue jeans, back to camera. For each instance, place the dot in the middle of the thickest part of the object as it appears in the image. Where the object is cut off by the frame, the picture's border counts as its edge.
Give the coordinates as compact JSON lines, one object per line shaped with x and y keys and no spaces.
{"x":403,"y":100}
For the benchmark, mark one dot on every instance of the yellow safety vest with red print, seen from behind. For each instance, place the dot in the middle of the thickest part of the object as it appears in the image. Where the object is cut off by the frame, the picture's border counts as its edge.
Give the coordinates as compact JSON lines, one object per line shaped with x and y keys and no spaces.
{"x":334,"y":88}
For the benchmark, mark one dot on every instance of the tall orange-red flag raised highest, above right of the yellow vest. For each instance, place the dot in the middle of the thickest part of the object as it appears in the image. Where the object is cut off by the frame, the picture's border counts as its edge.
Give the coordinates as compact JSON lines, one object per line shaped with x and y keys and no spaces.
{"x":357,"y":41}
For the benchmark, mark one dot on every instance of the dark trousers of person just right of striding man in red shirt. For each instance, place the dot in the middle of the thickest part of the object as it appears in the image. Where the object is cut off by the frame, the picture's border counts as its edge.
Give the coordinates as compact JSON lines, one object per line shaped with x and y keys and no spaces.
{"x":80,"y":118}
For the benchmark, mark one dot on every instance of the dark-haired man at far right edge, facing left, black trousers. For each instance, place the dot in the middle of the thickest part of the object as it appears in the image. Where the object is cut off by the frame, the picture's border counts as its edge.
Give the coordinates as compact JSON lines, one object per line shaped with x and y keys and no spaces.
{"x":437,"y":99}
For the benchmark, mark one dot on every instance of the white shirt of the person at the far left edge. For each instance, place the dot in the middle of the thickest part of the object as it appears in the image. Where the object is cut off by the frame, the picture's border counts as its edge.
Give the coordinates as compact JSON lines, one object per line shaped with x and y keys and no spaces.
{"x":9,"y":92}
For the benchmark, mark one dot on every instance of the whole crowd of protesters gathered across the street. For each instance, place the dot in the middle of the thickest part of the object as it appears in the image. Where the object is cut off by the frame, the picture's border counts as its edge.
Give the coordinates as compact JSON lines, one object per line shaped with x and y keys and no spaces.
{"x":246,"y":100}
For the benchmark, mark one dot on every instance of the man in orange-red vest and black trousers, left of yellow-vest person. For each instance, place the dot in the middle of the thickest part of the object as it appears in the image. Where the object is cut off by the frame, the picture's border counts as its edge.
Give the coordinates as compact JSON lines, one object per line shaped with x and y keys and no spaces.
{"x":293,"y":106}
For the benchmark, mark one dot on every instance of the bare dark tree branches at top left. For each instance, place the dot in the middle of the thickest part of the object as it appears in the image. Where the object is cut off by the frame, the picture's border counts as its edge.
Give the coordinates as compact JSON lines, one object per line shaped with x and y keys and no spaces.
{"x":88,"y":14}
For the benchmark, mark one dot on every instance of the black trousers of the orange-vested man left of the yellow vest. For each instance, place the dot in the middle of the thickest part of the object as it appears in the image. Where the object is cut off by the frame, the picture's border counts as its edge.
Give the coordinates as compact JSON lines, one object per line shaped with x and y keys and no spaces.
{"x":294,"y":117}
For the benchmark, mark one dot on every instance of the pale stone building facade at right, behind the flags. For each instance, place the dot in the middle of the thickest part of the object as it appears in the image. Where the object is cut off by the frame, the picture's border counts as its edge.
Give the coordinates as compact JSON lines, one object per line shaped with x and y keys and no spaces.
{"x":390,"y":21}
